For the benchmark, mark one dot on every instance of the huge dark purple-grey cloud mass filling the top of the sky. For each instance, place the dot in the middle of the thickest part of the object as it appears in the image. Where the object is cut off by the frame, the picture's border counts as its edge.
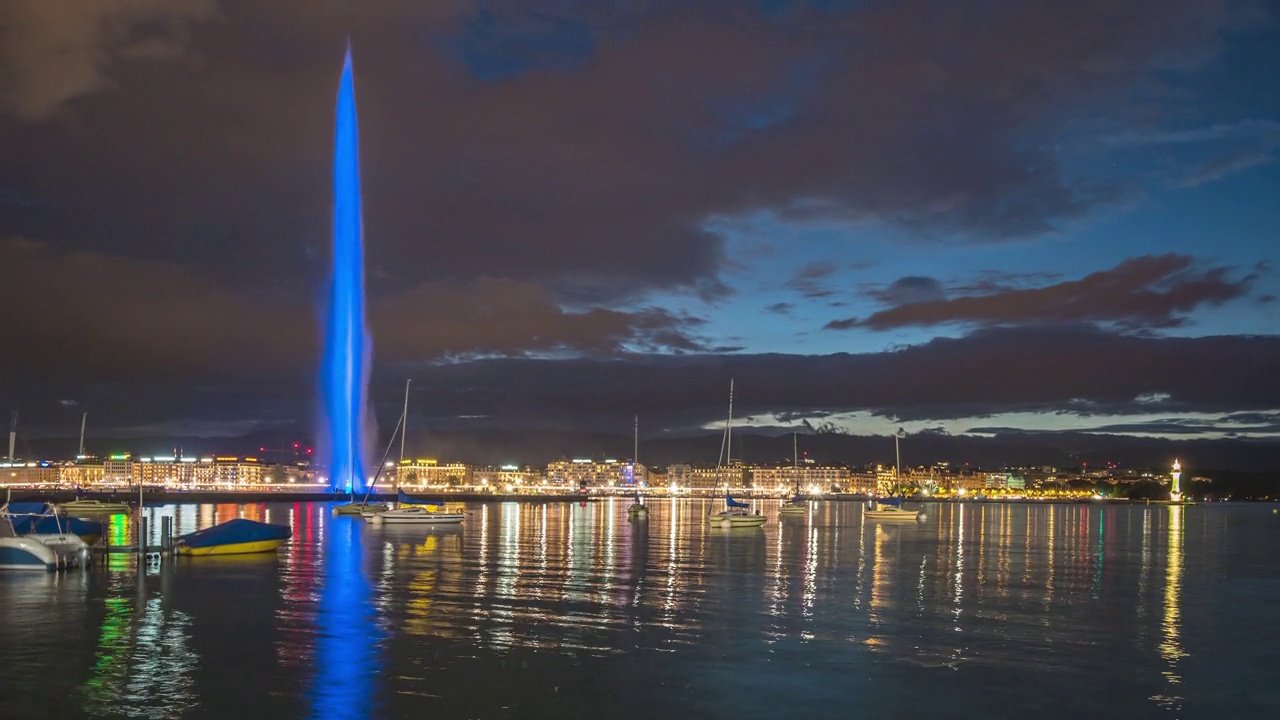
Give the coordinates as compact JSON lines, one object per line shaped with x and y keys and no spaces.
{"x":582,"y":148}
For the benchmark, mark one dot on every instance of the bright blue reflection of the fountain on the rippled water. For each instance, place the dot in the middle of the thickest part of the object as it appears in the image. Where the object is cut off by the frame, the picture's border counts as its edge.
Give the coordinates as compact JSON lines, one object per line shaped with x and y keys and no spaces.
{"x":346,"y":650}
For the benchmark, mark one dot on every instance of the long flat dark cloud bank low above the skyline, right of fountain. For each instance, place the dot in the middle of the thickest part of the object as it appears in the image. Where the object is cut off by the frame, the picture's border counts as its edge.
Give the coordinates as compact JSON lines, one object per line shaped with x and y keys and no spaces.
{"x":993,"y":371}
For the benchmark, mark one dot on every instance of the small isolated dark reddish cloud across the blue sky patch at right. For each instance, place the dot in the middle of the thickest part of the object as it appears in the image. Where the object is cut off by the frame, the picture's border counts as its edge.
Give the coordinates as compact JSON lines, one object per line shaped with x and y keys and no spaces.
{"x":1153,"y":291}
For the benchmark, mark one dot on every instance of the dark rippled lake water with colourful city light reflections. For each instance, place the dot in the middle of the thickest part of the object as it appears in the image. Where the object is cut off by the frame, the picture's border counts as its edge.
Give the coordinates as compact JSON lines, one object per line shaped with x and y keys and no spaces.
{"x":565,"y":612}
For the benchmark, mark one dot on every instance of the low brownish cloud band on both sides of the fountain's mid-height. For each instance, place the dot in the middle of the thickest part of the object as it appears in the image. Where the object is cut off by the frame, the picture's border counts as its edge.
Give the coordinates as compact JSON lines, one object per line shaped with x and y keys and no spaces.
{"x":145,"y":318}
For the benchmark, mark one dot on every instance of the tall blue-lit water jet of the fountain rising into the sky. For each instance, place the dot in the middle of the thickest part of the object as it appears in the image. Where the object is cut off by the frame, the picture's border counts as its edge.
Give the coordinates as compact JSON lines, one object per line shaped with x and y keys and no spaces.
{"x":344,"y":372}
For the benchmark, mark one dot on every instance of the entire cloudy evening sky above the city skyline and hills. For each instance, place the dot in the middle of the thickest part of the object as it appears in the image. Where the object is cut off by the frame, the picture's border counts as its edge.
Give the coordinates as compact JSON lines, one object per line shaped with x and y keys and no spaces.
{"x":961,"y":217}
